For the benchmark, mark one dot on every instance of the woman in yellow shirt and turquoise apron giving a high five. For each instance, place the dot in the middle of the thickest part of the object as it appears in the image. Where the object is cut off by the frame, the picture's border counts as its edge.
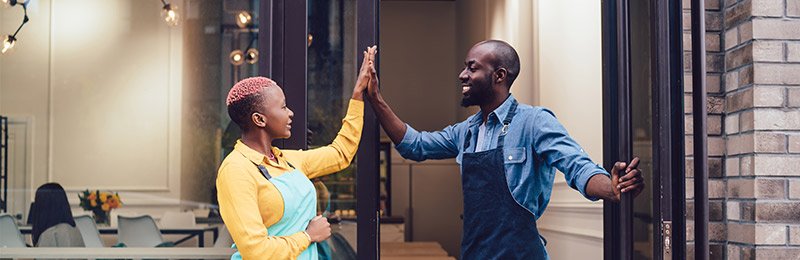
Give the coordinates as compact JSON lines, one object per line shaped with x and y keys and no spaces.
{"x":265,"y":196}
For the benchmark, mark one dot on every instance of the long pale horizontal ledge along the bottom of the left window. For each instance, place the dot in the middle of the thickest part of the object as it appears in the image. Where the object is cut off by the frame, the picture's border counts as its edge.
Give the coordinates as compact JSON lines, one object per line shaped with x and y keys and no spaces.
{"x":117,"y":253}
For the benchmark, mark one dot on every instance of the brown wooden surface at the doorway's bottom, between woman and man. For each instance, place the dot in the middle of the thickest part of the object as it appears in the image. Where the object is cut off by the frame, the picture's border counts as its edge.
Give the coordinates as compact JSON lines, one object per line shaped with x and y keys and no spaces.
{"x":413,"y":251}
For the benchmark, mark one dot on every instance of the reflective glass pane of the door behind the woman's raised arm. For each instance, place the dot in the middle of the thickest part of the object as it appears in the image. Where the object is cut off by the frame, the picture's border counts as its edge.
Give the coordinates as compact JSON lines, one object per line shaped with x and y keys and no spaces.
{"x":331,"y":77}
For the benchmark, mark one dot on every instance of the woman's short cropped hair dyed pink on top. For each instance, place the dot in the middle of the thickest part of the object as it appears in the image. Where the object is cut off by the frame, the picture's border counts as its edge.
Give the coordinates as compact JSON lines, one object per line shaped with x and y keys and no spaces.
{"x":245,"y":98}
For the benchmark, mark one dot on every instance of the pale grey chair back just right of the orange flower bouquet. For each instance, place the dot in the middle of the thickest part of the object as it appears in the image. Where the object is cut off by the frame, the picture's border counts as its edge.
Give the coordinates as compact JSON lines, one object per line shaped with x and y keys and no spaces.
{"x":140,"y":231}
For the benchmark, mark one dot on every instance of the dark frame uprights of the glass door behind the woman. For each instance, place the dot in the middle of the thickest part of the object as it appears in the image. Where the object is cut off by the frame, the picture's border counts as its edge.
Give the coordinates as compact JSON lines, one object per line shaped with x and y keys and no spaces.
{"x":282,"y":41}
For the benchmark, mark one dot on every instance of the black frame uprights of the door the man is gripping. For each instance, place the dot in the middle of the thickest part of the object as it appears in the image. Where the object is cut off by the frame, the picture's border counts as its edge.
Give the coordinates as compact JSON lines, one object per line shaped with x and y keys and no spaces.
{"x":667,"y":113}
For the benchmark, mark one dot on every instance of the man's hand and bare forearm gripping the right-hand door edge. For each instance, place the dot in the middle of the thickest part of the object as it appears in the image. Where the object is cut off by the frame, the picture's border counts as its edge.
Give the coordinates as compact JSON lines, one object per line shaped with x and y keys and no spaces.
{"x":602,"y":187}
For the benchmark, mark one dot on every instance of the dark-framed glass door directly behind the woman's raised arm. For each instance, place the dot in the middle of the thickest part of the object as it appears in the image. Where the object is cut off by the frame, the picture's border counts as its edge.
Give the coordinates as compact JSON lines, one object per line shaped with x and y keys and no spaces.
{"x":314,"y":47}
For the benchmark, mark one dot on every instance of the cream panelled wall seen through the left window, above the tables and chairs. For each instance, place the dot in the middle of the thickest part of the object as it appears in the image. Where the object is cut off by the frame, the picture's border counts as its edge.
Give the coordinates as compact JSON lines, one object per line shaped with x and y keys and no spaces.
{"x":100,"y":84}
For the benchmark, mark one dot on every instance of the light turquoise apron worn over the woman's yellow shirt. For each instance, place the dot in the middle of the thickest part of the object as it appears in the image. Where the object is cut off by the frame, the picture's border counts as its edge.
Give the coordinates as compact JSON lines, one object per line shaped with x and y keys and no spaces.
{"x":299,"y":207}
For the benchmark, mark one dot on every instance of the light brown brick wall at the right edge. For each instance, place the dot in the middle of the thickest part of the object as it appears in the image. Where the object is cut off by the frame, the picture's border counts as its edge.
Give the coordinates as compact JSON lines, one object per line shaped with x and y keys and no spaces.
{"x":754,"y":128}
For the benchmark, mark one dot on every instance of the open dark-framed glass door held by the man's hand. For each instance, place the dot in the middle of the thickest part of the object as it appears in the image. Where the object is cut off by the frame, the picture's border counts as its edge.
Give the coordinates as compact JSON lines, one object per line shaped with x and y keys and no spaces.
{"x":643,"y":118}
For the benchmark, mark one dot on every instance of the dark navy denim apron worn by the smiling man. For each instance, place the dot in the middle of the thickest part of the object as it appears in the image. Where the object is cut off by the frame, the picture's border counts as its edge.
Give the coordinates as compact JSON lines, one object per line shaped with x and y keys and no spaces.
{"x":495,"y":225}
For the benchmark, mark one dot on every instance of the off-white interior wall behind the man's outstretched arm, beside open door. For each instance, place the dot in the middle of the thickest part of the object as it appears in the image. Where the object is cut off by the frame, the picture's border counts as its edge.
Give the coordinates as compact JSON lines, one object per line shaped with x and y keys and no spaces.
{"x":570,"y":83}
